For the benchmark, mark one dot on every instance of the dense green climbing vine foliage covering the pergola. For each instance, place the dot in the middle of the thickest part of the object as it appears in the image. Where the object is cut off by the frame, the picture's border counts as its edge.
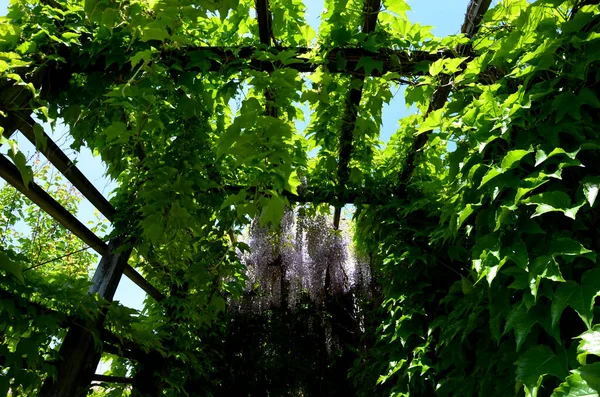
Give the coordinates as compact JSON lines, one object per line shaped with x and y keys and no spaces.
{"x":486,"y":254}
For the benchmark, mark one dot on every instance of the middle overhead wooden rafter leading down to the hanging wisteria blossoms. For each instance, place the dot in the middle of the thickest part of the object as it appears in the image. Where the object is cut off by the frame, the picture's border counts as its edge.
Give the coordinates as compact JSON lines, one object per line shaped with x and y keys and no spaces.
{"x":370,"y":13}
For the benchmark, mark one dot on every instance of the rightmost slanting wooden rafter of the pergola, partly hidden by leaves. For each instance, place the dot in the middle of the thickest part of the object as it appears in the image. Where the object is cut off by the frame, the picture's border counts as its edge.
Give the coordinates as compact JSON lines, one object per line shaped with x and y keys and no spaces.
{"x":473,"y":17}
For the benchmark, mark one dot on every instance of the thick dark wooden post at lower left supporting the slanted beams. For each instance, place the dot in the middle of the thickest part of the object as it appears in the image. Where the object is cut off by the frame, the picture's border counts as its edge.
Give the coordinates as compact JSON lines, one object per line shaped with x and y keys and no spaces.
{"x":81,"y":350}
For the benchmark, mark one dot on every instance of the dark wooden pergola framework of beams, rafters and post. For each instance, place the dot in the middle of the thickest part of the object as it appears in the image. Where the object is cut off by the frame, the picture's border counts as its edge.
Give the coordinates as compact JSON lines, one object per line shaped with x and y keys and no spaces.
{"x":79,"y":356}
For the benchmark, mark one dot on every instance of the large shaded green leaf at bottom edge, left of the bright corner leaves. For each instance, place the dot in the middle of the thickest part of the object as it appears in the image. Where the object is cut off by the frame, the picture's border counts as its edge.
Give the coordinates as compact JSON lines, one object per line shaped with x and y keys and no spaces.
{"x":536,"y":363}
